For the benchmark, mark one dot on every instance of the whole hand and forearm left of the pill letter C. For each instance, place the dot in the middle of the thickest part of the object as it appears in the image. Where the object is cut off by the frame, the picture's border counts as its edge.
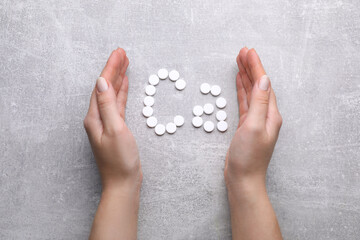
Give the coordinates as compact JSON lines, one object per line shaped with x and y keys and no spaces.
{"x":116,"y":153}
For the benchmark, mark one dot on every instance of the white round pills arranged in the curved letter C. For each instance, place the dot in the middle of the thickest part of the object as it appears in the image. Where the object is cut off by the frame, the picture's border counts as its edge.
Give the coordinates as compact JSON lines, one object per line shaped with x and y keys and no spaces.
{"x":149,"y":101}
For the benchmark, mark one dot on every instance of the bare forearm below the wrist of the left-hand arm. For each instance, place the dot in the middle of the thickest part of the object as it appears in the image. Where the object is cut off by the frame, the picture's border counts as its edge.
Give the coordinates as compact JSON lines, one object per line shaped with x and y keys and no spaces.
{"x":117,"y":214}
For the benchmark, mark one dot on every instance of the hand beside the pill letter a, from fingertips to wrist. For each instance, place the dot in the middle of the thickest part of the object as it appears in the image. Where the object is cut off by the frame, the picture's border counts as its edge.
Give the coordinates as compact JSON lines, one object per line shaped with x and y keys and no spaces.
{"x":260,"y":121}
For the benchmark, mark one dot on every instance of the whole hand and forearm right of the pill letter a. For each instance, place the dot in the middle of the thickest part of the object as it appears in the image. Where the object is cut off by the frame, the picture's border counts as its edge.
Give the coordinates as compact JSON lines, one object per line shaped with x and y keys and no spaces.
{"x":252,"y":215}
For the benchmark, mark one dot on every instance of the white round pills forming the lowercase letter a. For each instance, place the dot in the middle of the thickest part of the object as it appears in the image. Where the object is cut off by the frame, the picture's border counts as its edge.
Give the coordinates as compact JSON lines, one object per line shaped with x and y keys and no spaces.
{"x":208,"y":109}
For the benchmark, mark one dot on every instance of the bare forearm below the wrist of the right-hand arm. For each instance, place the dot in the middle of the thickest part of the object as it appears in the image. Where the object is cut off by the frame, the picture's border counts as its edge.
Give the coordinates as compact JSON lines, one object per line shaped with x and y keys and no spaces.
{"x":252,"y":216}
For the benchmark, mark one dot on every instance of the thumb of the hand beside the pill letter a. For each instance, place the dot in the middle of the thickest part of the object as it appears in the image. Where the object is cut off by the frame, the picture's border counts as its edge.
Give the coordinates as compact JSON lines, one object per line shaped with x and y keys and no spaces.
{"x":259,"y":102}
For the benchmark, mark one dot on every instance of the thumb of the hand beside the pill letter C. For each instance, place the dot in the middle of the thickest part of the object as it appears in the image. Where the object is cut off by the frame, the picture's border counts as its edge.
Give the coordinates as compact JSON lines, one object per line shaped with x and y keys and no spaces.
{"x":106,"y":100}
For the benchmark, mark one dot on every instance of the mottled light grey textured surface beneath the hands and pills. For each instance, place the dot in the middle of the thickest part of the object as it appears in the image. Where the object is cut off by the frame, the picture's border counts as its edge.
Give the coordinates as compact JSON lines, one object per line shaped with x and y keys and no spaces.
{"x":52,"y":51}
